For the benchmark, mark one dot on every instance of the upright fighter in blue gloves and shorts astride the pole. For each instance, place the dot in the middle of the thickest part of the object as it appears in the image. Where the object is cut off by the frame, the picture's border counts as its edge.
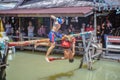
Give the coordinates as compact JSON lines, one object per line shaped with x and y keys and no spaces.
{"x":53,"y":34}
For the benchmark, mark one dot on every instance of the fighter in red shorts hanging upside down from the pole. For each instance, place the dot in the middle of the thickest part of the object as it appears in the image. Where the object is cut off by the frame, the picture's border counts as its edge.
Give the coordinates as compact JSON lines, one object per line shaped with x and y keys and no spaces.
{"x":69,"y":49}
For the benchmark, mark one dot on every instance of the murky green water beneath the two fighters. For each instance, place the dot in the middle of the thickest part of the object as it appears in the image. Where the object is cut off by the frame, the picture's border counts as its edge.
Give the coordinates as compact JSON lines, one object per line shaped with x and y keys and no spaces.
{"x":28,"y":65}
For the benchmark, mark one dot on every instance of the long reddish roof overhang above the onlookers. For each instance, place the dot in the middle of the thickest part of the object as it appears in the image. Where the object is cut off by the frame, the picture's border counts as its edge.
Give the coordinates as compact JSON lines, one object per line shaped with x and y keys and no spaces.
{"x":38,"y":12}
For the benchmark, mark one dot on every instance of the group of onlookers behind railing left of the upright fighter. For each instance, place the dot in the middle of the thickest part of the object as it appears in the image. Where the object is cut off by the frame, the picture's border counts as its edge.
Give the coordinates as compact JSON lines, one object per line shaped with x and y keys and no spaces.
{"x":41,"y":30}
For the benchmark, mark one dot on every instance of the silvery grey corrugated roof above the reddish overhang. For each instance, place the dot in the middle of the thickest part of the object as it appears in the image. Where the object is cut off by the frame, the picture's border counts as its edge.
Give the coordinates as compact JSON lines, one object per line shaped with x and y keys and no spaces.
{"x":57,"y":3}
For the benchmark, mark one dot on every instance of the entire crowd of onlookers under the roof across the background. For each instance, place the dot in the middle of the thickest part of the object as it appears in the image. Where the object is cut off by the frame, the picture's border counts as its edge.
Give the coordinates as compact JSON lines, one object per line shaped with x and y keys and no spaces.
{"x":103,"y":30}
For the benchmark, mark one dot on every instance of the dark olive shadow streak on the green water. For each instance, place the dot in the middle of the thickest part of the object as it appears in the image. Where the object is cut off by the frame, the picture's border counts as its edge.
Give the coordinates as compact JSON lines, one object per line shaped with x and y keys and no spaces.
{"x":68,"y":74}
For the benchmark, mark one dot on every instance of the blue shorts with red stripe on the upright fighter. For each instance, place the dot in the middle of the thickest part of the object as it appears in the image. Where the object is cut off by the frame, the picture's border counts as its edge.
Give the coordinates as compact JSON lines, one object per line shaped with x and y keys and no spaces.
{"x":54,"y":35}
